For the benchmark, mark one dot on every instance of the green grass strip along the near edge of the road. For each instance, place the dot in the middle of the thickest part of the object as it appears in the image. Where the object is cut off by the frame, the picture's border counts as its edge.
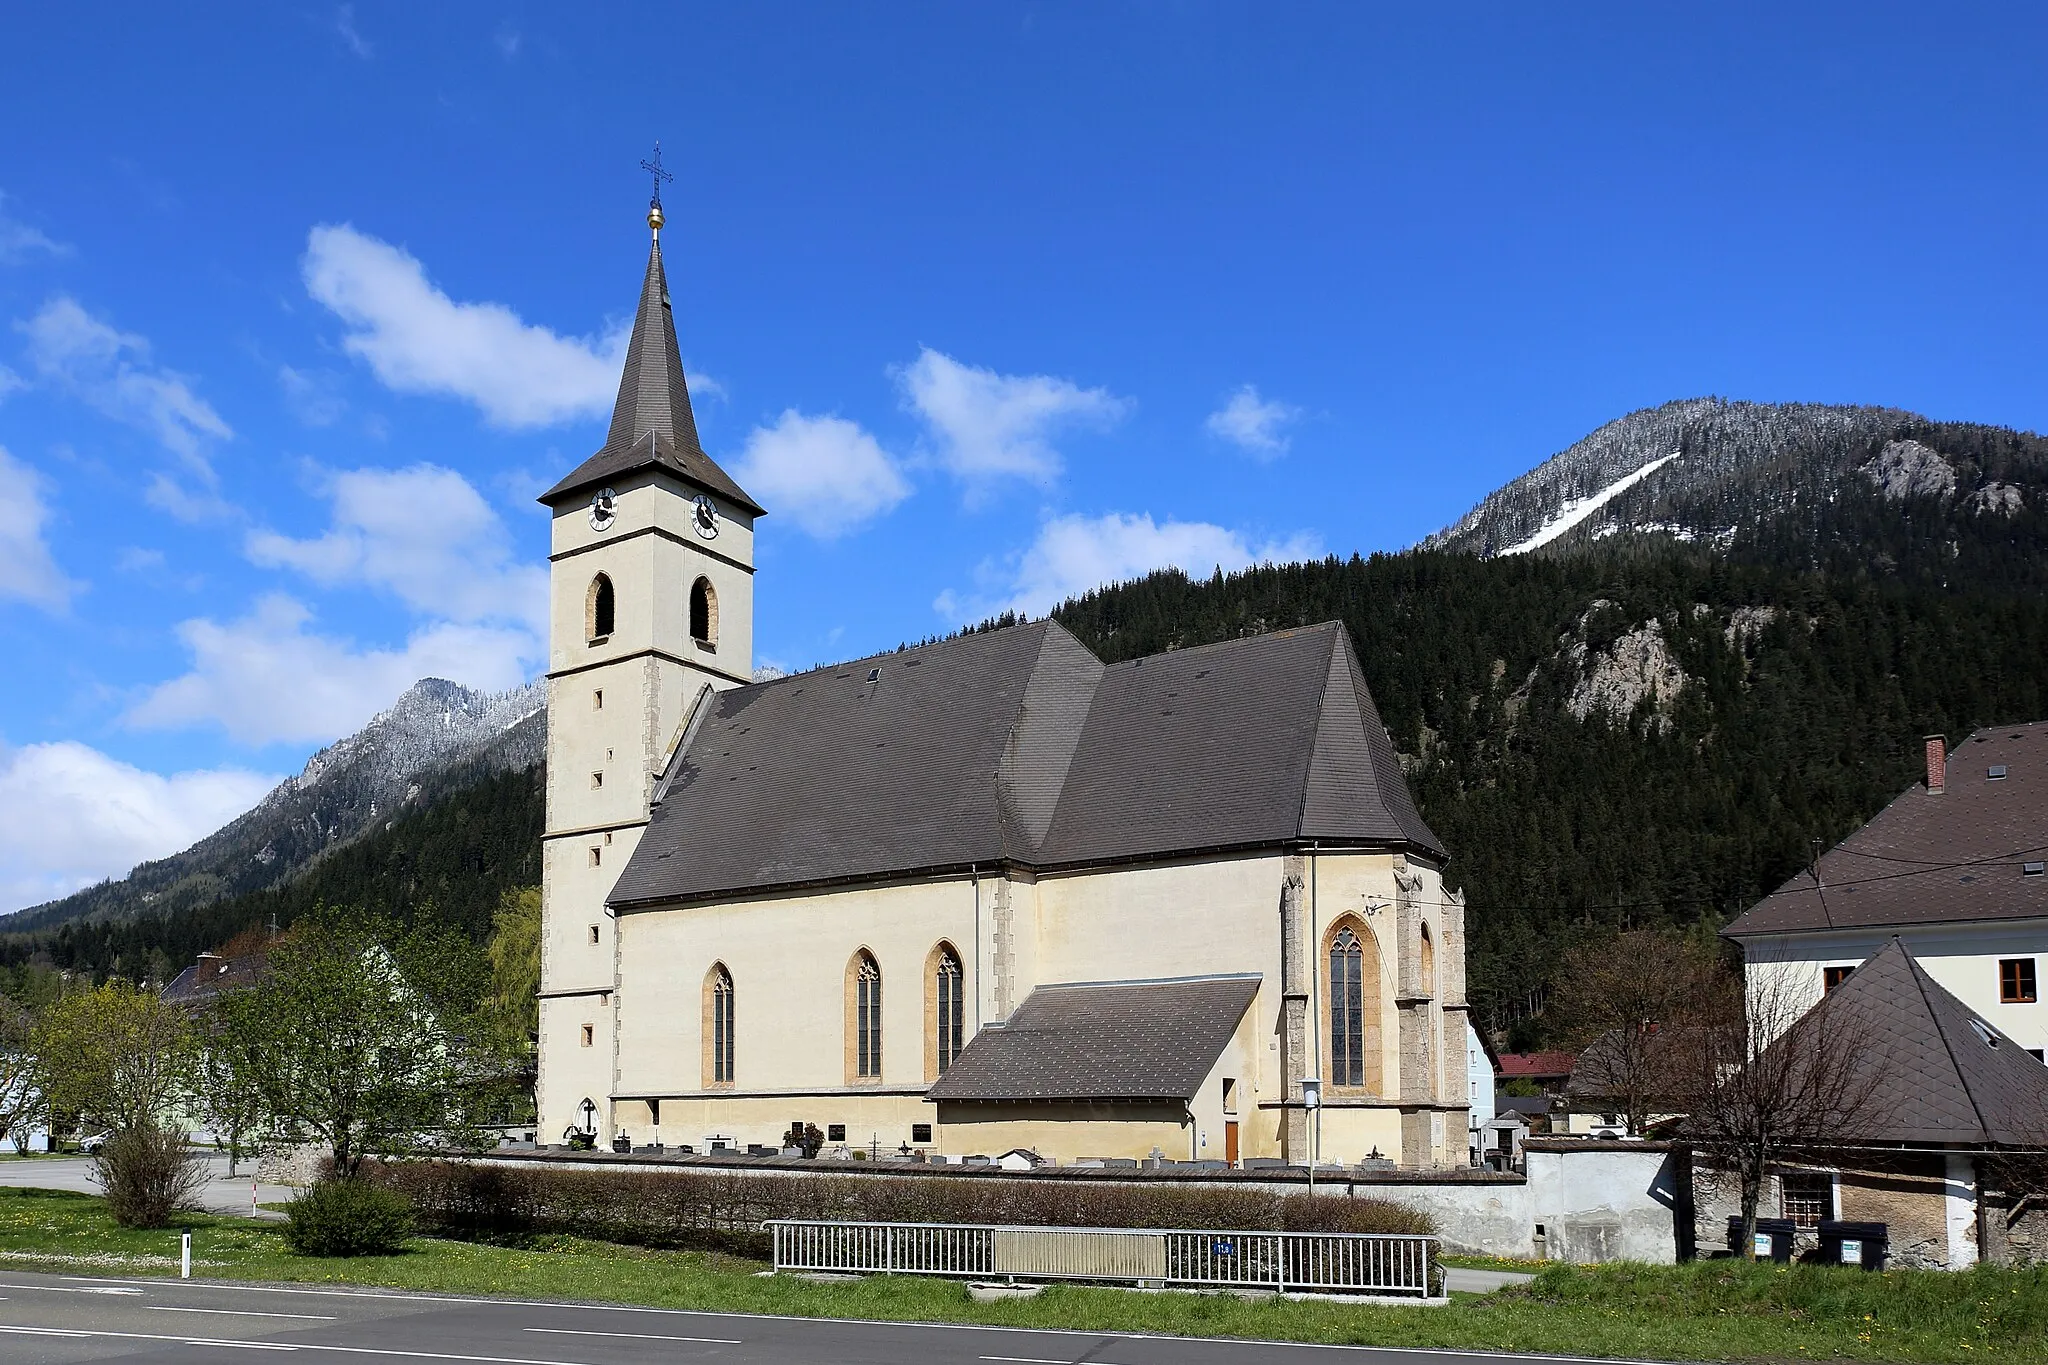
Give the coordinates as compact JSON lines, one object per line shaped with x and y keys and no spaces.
{"x":1711,"y":1311}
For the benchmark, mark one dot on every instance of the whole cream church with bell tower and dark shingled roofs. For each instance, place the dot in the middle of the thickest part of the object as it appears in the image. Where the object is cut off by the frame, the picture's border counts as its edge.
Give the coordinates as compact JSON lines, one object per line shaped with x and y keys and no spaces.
{"x":968,"y":897}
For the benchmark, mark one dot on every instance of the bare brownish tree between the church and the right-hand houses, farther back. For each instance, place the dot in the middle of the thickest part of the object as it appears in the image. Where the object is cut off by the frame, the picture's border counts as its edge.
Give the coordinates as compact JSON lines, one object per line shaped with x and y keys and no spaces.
{"x":1623,"y":1004}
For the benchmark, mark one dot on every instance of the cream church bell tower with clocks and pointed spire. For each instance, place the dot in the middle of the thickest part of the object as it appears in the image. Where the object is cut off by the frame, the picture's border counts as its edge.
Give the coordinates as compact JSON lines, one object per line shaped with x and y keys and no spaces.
{"x":650,"y":607}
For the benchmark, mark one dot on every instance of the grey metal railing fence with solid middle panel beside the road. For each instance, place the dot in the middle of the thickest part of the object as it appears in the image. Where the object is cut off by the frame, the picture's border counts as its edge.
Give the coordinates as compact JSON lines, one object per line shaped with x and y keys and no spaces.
{"x":1283,"y":1262}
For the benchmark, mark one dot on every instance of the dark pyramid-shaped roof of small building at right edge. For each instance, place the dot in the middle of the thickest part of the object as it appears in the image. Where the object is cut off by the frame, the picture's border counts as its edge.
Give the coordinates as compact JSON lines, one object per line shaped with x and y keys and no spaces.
{"x":1943,"y":1075}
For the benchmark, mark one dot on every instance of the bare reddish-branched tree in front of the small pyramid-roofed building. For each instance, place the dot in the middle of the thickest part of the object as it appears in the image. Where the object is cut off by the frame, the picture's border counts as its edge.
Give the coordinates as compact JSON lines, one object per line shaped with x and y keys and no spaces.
{"x":1768,"y":1082}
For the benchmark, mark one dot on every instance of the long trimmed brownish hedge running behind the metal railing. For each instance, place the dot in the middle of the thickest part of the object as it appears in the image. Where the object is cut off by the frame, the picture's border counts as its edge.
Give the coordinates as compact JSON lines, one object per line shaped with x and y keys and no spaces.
{"x":722,"y":1210}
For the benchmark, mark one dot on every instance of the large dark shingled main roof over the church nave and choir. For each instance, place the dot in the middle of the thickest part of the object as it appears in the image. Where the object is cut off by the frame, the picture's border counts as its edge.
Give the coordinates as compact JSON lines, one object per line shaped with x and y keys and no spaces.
{"x":1019,"y":746}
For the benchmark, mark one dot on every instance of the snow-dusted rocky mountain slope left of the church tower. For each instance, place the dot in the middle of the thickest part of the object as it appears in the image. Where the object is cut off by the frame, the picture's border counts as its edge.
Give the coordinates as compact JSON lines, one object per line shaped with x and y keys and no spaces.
{"x":353,"y":787}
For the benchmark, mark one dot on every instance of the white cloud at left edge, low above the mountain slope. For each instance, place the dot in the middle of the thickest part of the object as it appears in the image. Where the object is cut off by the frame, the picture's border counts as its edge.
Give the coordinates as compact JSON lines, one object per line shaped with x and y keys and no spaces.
{"x":79,"y":816}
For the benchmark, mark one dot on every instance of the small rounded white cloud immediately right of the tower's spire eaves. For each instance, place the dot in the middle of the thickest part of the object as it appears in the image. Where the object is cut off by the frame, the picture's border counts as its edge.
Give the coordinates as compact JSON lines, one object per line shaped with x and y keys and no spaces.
{"x":824,"y":474}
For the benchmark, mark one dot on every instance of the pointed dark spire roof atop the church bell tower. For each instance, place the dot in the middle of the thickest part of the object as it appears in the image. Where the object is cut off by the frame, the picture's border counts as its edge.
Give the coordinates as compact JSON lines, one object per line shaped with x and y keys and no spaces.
{"x":652,"y":419}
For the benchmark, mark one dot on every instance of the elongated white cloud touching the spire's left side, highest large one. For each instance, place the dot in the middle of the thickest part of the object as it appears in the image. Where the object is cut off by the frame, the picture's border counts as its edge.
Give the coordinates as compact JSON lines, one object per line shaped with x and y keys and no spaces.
{"x":419,"y":341}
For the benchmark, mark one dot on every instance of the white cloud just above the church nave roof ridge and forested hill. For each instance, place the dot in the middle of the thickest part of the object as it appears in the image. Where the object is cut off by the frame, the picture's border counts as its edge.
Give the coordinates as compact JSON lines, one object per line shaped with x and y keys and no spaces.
{"x":1076,"y":554}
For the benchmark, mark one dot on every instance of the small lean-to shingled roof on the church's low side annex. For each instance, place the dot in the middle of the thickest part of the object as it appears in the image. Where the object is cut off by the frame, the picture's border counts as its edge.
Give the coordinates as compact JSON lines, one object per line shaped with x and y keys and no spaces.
{"x":1111,"y":1041}
